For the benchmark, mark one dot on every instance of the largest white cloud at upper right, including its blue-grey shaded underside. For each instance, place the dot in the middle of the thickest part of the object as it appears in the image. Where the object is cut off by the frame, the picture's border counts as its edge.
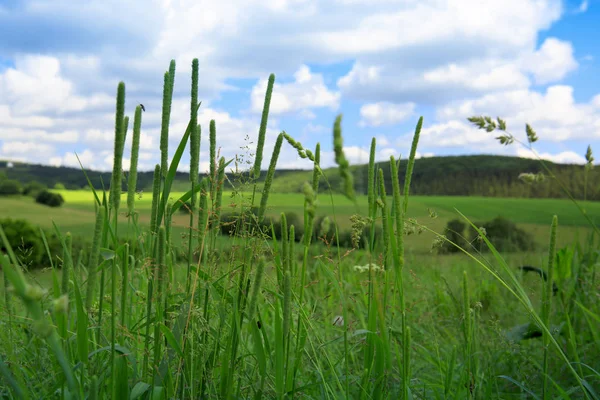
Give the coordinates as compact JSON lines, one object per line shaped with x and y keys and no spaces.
{"x":457,"y":56}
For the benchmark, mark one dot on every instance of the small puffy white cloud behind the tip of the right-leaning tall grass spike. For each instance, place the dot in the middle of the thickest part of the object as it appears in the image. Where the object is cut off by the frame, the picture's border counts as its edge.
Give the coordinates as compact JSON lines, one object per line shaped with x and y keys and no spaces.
{"x":307,"y":91}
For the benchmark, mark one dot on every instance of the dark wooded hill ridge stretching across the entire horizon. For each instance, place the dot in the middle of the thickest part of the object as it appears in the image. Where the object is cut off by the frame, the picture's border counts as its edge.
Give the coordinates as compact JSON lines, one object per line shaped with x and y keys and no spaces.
{"x":478,"y":175}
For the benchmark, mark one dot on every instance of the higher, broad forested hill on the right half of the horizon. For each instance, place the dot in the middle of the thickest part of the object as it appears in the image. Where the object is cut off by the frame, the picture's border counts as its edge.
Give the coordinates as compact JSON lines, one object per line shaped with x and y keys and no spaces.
{"x":478,"y":175}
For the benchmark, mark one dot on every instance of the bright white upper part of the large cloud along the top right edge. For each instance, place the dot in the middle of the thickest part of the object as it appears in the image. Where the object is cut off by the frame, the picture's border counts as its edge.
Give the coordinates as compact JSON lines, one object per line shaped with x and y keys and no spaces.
{"x":515,"y":24}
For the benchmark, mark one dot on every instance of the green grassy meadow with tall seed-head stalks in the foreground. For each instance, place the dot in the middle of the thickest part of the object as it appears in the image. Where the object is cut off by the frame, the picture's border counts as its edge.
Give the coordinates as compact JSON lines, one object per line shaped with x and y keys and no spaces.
{"x":165,"y":306}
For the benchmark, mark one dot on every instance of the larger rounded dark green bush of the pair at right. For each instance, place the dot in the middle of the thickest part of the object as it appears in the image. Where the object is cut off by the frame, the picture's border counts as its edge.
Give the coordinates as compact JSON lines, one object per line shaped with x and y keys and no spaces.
{"x":504,"y":235}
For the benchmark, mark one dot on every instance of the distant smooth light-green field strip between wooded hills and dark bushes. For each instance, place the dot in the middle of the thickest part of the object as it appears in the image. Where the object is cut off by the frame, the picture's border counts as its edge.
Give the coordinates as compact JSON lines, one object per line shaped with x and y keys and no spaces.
{"x":535,"y":215}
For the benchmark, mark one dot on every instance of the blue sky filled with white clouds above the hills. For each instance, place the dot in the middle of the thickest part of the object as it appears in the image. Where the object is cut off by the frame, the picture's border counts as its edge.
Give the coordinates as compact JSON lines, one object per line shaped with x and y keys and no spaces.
{"x":381,"y":64}
